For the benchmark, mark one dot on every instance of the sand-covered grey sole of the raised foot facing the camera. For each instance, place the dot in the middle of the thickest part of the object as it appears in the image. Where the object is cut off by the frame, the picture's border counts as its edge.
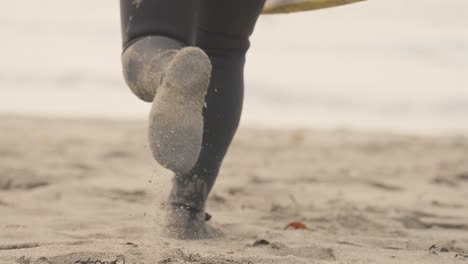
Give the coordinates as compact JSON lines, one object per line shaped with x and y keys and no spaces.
{"x":176,"y":120}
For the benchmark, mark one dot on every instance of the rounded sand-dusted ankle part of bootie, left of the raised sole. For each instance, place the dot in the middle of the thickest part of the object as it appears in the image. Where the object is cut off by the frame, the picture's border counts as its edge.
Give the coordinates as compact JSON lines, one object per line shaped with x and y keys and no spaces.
{"x":144,"y":63}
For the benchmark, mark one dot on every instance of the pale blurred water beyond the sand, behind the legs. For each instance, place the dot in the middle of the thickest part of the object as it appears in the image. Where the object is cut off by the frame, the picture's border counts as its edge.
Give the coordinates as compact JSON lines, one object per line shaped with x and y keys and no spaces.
{"x":394,"y":65}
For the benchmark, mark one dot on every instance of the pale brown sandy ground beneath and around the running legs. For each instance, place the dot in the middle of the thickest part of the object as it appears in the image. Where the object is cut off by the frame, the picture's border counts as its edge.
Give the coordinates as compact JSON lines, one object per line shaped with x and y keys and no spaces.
{"x":88,"y":191}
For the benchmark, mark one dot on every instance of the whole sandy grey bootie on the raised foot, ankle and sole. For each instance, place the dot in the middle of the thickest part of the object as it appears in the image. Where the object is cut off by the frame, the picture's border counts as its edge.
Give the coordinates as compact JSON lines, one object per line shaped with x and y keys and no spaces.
{"x":176,"y":80}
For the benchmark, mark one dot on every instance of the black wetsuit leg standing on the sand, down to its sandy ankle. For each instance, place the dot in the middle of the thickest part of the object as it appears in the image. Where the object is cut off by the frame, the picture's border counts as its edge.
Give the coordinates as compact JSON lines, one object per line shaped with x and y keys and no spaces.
{"x":223,"y":33}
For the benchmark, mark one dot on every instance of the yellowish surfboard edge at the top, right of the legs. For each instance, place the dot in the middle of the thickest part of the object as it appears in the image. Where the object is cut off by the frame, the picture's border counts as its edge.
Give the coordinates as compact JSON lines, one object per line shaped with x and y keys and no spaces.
{"x":290,"y":6}
